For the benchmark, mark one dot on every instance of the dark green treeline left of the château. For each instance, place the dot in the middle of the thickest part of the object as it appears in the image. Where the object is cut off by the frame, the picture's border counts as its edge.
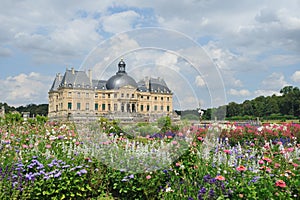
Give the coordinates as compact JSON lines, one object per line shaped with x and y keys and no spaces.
{"x":41,"y":109}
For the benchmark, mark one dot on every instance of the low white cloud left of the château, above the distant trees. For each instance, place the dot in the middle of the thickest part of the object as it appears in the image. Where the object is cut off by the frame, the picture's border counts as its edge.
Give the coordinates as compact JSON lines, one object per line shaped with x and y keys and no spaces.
{"x":25,"y":89}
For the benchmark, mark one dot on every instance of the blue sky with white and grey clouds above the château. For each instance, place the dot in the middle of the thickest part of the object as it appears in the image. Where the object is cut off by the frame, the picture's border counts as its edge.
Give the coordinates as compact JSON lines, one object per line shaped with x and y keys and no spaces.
{"x":209,"y":52}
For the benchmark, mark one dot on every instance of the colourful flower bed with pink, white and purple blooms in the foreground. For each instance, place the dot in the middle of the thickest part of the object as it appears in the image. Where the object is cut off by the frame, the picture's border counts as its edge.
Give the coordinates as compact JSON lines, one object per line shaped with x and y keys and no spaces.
{"x":56,"y":161}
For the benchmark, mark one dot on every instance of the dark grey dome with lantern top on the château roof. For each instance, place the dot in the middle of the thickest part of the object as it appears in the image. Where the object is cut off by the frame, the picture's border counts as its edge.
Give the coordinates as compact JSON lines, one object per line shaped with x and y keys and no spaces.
{"x":121,"y":79}
